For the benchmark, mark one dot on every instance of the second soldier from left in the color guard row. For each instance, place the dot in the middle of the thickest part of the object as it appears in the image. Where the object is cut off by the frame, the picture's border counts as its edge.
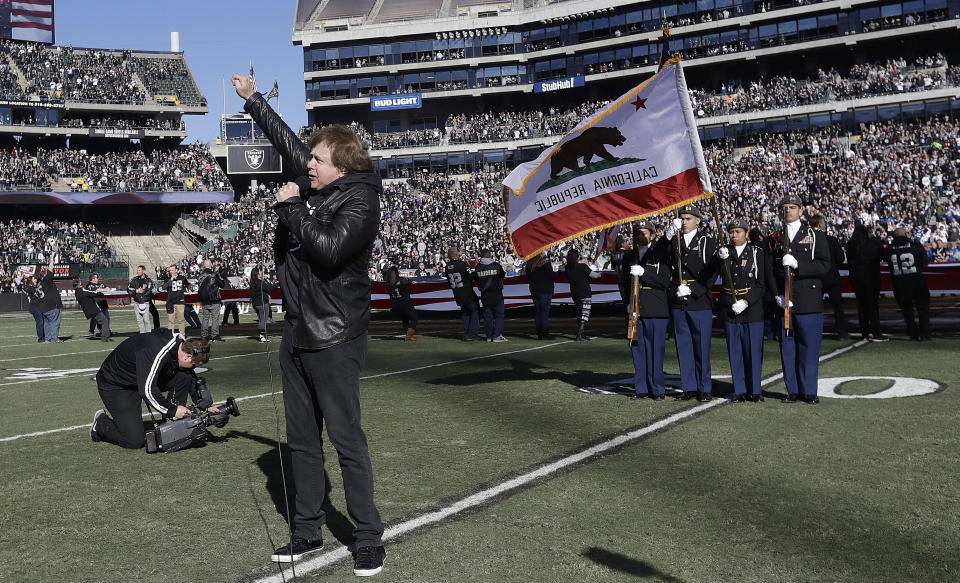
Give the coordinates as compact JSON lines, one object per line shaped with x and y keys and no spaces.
{"x":691,"y":304}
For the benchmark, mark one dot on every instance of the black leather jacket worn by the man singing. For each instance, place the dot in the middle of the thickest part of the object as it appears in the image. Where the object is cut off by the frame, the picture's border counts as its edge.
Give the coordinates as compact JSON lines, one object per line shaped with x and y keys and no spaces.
{"x":336,"y":227}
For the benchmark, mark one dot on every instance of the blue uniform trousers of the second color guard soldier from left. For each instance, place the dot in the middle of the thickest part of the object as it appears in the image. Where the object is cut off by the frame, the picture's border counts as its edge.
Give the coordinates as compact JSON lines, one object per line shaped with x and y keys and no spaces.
{"x":693,"y":329}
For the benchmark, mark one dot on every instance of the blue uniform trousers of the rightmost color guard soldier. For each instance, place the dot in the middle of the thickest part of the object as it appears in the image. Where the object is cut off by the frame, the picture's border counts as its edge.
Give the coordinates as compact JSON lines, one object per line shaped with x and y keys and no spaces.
{"x":800,"y":353}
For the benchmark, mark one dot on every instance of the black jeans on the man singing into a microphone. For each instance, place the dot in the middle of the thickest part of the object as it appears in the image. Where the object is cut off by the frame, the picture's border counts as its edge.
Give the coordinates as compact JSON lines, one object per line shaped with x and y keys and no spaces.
{"x":324,"y":386}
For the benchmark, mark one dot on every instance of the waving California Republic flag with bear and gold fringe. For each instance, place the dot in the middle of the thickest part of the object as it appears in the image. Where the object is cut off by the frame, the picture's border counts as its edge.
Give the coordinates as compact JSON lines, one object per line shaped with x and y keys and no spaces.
{"x":637,"y":157}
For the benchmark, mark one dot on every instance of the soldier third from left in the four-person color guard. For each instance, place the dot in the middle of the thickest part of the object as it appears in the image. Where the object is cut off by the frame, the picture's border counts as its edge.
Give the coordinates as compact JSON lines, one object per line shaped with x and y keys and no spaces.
{"x":741,"y":299}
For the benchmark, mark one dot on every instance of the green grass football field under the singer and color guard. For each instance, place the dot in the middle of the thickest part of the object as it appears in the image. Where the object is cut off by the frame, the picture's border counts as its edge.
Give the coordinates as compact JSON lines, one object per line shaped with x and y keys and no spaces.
{"x":850,"y":490}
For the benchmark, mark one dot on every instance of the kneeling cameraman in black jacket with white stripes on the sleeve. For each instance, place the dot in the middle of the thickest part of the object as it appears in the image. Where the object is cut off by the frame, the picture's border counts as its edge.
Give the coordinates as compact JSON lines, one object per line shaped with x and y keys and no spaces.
{"x":145,"y":366}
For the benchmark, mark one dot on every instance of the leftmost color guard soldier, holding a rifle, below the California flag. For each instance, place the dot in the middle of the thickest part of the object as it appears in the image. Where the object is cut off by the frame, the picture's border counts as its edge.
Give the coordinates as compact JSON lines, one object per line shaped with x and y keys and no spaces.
{"x":647,"y":262}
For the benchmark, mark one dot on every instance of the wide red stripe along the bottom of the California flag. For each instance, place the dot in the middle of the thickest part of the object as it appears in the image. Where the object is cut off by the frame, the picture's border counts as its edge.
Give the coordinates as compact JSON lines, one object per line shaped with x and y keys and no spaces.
{"x":607,"y":208}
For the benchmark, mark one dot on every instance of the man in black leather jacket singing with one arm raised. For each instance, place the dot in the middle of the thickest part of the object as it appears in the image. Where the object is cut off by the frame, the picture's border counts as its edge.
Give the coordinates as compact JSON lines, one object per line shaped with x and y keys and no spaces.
{"x":323,"y":244}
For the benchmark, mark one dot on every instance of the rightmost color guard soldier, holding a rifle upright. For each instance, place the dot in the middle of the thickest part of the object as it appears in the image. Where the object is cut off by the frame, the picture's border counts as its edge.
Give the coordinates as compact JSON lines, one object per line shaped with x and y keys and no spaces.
{"x":809,"y":260}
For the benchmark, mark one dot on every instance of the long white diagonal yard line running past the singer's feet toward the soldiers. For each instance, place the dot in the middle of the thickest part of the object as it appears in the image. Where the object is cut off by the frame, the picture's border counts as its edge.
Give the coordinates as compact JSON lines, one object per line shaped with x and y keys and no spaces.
{"x":485,"y":496}
